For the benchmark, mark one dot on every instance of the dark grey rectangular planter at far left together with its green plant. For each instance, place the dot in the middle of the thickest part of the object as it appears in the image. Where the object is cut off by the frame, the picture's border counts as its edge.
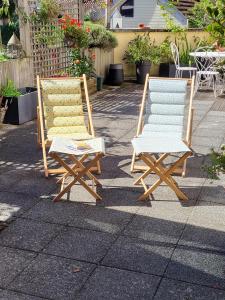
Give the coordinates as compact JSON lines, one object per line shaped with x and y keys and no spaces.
{"x":21,"y":103}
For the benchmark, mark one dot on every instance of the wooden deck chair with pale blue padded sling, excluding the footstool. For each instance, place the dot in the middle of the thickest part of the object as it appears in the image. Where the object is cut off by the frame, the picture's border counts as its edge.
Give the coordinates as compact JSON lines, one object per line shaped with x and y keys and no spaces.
{"x":155,"y":120}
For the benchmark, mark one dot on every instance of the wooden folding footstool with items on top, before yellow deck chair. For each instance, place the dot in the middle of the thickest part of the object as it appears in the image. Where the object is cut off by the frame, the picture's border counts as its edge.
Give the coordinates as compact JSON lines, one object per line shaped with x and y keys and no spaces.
{"x":73,"y":155}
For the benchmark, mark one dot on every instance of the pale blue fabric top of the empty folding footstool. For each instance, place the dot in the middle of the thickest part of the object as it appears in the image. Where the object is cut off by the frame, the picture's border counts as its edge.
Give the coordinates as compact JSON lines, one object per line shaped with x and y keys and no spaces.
{"x":145,"y":144}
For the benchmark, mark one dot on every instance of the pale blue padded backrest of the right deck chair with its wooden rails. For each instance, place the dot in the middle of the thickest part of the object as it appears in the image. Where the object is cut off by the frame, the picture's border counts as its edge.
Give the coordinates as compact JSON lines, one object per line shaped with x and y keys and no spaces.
{"x":163,"y":107}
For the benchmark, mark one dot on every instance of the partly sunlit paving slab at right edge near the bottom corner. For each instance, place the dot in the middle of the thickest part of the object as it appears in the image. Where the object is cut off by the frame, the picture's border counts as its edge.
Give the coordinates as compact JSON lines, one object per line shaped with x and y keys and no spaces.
{"x":194,"y":265}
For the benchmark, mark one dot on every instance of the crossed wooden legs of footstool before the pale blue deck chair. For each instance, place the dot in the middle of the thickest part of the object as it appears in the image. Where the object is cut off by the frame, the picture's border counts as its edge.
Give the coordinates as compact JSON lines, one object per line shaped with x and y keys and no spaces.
{"x":155,"y":165}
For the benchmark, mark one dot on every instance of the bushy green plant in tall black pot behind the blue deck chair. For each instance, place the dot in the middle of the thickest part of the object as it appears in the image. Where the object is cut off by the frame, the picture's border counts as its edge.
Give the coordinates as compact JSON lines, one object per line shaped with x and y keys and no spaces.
{"x":143,"y":52}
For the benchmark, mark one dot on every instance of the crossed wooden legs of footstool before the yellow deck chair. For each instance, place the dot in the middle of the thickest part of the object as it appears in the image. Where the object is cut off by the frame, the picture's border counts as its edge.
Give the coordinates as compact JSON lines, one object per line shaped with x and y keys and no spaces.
{"x":77,"y":171}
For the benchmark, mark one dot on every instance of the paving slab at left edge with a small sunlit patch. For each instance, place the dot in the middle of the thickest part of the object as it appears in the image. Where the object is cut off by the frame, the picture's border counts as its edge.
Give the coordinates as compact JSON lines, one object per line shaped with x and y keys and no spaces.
{"x":15,"y":204}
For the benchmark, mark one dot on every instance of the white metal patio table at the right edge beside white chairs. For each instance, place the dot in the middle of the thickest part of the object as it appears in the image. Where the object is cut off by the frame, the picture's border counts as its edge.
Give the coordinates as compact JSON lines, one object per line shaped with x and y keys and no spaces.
{"x":205,"y":61}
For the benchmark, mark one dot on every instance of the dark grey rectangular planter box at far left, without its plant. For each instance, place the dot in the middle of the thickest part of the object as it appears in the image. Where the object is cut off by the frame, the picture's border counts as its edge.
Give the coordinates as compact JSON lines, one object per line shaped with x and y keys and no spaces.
{"x":21,"y":109}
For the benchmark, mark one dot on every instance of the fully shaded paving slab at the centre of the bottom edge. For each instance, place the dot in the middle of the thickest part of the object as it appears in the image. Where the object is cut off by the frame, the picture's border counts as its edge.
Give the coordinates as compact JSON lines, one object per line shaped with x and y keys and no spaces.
{"x":110,"y":283}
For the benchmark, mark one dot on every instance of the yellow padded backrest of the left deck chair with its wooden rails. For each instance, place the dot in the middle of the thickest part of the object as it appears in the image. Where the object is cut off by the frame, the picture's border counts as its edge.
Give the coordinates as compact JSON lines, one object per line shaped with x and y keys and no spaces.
{"x":60,"y":101}
